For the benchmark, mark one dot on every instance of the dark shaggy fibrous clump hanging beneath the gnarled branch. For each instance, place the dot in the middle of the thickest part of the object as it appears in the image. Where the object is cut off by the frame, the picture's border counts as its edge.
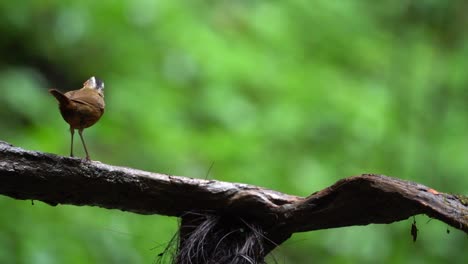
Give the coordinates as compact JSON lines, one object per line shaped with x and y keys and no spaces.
{"x":214,"y":239}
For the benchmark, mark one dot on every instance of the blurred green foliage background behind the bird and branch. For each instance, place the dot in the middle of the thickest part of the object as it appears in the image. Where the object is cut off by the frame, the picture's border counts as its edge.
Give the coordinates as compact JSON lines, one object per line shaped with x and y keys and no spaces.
{"x":289,"y":95}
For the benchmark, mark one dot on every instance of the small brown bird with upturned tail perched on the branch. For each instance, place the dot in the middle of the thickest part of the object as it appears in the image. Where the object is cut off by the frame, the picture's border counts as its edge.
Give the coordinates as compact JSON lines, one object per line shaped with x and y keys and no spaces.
{"x":81,"y":108}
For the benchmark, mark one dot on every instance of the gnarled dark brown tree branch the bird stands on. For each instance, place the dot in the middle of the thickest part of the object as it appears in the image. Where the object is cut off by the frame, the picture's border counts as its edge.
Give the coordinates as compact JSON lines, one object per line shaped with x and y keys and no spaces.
{"x":359,"y":200}
